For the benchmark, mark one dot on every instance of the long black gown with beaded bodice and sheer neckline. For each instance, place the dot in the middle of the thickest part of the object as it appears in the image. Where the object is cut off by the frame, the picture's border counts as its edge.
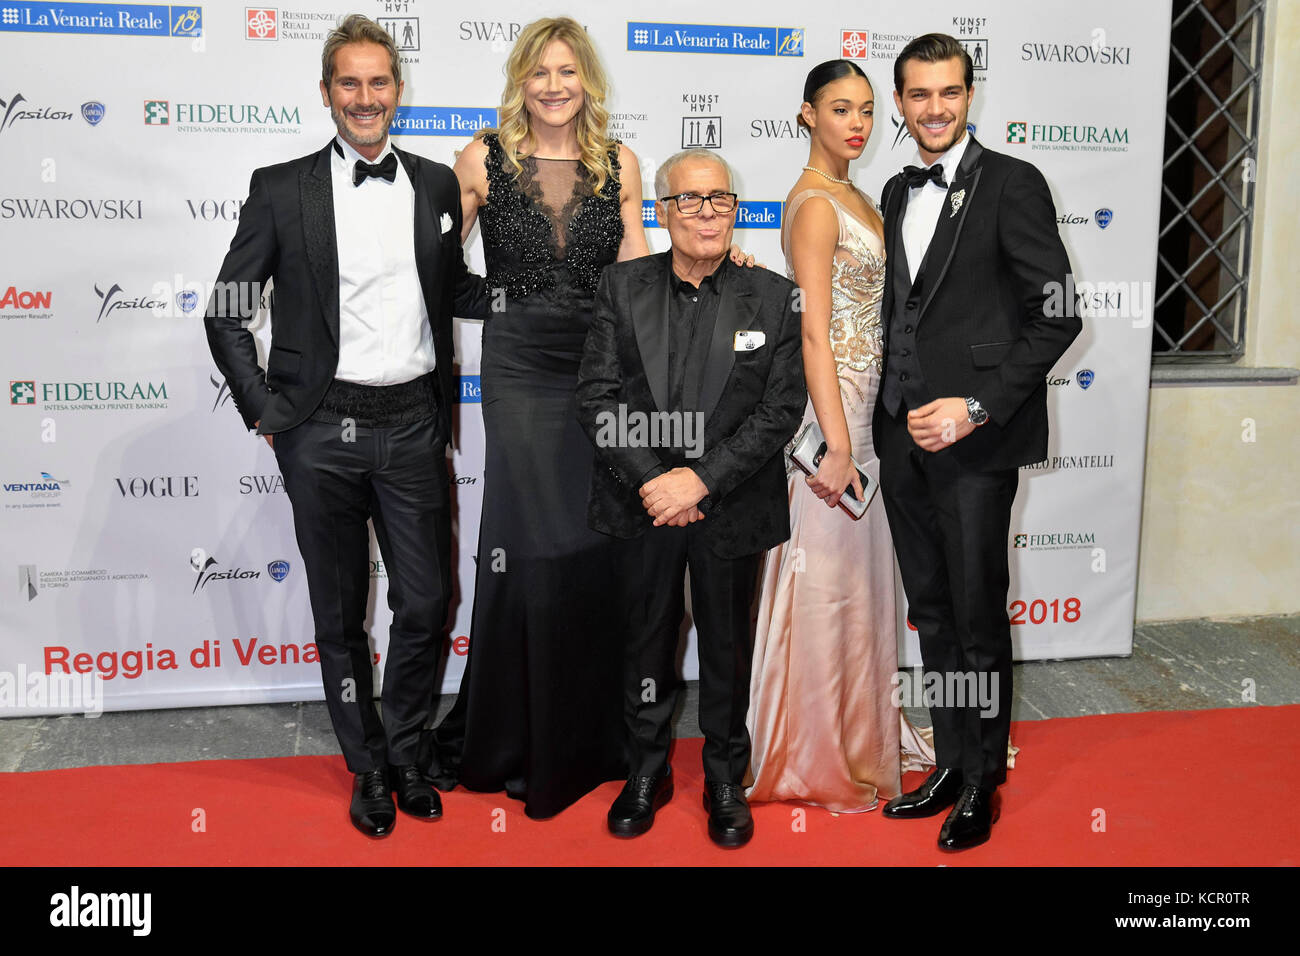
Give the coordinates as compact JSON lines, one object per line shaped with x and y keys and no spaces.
{"x":540,"y":712}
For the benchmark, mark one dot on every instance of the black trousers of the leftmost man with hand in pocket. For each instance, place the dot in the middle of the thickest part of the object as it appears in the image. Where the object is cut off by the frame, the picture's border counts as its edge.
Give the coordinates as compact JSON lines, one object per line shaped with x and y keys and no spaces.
{"x":398,"y":479}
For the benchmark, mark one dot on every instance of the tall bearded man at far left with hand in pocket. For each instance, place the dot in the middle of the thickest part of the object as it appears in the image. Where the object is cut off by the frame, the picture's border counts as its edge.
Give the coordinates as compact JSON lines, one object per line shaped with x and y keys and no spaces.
{"x":363,"y":245}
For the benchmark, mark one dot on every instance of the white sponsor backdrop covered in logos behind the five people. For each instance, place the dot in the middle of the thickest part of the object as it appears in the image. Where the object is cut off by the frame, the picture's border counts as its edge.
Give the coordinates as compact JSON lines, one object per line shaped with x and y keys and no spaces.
{"x":146,"y":542}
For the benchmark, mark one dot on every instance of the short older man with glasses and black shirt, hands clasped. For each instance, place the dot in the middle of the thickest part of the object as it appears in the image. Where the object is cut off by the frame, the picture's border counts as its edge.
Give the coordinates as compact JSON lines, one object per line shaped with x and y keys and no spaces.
{"x":687,"y":340}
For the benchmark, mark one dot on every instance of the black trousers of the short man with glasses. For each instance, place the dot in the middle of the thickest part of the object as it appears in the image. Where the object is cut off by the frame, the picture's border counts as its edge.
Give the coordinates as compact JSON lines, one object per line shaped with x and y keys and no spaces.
{"x":722,"y":591}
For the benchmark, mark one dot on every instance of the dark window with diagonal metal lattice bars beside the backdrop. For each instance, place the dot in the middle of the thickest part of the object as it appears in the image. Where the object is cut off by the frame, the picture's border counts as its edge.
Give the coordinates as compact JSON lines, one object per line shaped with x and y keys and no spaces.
{"x":1207,"y":207}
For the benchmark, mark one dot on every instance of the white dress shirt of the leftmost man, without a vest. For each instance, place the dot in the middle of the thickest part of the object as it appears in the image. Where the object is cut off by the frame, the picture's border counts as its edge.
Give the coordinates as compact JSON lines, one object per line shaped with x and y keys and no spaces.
{"x":384,"y":336}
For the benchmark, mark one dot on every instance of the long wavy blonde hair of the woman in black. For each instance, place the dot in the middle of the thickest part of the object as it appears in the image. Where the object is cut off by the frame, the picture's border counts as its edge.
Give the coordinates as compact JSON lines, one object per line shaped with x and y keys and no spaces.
{"x":593,"y":120}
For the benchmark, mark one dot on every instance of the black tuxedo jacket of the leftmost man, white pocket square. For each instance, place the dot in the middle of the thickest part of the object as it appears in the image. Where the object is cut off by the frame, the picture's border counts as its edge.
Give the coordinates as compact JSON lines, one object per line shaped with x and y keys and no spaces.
{"x":287,"y":233}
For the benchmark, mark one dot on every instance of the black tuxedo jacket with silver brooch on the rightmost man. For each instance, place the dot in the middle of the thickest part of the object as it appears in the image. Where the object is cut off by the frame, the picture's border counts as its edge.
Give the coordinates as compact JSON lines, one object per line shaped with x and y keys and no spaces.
{"x":983,"y":330}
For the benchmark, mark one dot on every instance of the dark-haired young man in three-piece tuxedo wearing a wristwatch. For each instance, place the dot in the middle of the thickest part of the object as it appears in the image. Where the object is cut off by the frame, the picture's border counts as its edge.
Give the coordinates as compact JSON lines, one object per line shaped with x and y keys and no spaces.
{"x":973,"y":256}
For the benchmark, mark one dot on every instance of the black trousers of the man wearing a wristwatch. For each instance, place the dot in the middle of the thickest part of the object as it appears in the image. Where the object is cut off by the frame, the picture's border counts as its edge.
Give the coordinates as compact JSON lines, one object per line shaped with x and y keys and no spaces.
{"x":951,"y":527}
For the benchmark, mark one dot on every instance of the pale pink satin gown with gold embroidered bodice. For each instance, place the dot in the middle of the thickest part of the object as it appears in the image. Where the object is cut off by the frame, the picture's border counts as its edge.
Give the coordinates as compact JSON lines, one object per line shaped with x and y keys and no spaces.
{"x":822,"y":717}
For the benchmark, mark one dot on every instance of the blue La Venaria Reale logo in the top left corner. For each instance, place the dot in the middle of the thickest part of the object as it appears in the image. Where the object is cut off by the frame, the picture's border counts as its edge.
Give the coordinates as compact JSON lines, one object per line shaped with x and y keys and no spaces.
{"x":110,"y":20}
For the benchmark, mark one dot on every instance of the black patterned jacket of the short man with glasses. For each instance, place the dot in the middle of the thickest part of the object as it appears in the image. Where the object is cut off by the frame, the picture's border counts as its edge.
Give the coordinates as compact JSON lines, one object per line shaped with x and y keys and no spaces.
{"x":752,"y":403}
